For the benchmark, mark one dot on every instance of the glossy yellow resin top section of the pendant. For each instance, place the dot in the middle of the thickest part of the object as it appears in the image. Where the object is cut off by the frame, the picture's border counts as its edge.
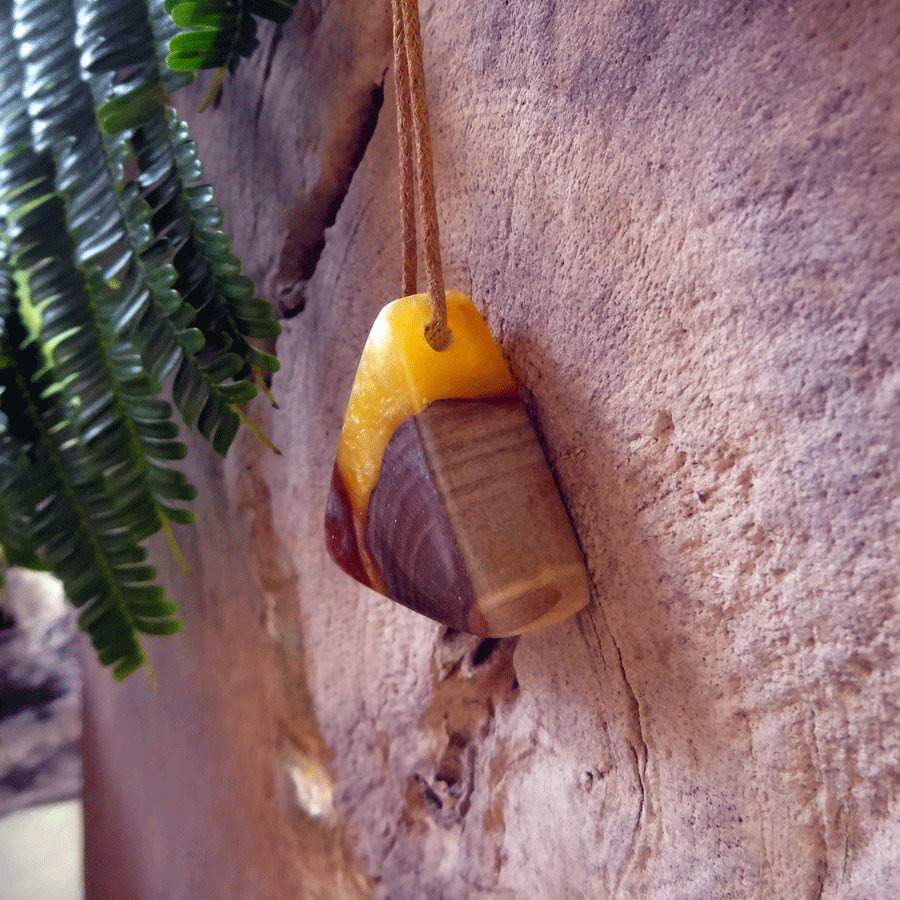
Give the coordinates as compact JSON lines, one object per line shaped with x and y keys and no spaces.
{"x":399,"y":375}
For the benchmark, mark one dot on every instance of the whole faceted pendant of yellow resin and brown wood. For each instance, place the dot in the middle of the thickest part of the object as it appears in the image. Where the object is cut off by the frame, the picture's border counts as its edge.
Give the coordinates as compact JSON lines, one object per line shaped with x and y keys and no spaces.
{"x":441,"y":498}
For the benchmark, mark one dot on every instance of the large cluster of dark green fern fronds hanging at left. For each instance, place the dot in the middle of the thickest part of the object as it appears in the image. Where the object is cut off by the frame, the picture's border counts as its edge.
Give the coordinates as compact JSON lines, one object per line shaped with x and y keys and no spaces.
{"x":107,"y":288}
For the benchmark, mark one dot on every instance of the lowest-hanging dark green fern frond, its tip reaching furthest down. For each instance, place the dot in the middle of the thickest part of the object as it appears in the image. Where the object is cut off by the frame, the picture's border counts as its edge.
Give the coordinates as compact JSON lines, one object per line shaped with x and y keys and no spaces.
{"x":75,"y":525}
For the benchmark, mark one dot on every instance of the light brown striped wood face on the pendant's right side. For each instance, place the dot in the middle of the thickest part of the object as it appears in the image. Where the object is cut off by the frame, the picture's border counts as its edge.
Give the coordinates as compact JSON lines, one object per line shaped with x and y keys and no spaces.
{"x":516,"y":539}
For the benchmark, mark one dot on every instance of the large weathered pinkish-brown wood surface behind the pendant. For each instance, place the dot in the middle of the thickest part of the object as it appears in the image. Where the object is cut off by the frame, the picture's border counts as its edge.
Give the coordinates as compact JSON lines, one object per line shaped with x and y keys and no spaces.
{"x":682,"y":223}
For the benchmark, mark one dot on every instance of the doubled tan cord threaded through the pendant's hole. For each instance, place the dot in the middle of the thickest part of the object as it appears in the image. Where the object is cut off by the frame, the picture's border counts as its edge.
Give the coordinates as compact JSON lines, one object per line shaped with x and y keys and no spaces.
{"x":412,"y":122}
